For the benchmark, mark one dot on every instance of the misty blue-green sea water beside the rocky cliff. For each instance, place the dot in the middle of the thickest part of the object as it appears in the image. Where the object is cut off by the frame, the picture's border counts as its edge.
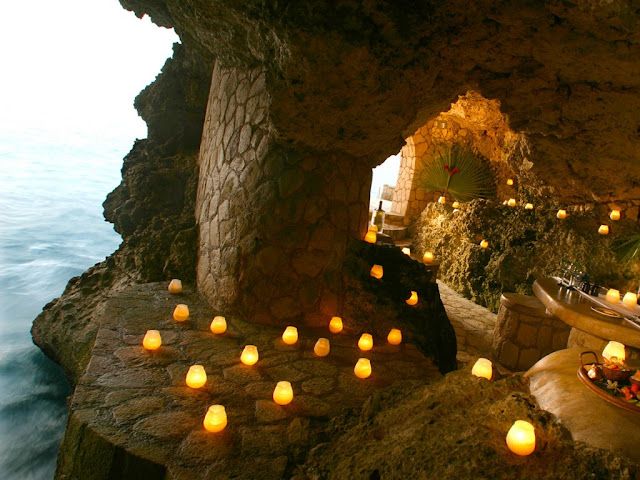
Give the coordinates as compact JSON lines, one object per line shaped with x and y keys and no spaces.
{"x":51,"y":229}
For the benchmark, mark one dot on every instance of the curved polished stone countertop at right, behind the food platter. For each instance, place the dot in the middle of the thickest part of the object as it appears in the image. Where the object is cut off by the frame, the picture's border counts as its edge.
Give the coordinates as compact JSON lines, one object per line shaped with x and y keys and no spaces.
{"x":575,"y":310}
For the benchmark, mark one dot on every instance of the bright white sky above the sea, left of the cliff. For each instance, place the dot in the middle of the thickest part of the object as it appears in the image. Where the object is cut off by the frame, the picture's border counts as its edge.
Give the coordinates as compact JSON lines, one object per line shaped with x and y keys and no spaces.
{"x":68,"y":71}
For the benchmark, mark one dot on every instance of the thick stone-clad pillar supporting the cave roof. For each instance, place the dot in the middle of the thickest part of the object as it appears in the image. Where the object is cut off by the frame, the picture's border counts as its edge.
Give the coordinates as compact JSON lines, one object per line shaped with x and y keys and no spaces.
{"x":274,"y":219}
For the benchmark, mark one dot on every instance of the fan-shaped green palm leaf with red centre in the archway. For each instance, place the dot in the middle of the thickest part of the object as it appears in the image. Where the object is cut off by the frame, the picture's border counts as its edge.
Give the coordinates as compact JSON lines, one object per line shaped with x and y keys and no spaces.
{"x":472,"y":179}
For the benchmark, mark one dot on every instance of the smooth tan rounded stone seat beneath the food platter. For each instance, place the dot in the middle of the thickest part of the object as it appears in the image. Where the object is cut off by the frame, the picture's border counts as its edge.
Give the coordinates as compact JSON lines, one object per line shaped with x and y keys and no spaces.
{"x":555,"y":385}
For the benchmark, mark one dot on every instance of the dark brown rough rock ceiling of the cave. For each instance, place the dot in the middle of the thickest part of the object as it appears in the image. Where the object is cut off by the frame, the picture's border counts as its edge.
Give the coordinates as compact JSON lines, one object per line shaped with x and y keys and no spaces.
{"x":359,"y":76}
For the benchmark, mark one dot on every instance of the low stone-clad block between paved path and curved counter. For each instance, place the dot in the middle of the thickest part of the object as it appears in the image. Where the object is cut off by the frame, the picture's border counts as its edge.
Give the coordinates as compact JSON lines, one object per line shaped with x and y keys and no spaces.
{"x":525,"y":332}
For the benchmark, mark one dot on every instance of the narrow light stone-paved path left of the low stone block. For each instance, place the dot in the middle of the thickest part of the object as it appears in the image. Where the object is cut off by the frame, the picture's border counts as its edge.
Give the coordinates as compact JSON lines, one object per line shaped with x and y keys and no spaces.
{"x":473,"y":323}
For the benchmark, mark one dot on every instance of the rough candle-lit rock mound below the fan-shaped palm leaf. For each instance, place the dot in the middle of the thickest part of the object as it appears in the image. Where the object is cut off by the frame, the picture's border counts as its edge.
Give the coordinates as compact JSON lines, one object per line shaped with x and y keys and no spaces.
{"x":523,"y":246}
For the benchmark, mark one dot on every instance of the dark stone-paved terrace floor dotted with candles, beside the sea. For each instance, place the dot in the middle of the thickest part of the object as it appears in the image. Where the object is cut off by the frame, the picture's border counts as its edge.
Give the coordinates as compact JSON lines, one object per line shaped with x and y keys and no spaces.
{"x":138,"y":400}
